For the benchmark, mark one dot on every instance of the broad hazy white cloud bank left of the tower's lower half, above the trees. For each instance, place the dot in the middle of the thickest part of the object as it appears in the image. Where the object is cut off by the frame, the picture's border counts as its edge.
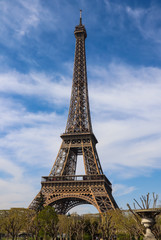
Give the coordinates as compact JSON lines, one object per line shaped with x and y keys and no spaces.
{"x":28,"y":147}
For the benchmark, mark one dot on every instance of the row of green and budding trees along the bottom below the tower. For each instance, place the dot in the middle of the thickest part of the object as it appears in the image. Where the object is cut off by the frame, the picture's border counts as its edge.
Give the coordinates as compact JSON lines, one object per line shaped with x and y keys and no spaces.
{"x":46,"y":224}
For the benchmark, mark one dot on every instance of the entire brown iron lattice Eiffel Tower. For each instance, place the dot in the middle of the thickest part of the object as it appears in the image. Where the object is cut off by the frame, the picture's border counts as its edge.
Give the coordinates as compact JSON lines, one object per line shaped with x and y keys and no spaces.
{"x":63,"y":189}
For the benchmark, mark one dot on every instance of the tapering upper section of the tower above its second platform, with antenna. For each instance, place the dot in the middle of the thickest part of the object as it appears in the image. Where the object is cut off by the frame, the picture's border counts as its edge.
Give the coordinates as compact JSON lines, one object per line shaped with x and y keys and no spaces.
{"x":79,"y":119}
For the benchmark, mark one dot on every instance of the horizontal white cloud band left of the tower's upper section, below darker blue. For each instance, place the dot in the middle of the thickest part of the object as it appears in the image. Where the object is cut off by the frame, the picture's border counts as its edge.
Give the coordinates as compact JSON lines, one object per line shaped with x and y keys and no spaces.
{"x":50,"y":88}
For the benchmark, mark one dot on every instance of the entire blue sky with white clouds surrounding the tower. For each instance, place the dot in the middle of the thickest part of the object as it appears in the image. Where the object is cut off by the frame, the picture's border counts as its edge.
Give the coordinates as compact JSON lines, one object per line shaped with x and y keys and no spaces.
{"x":123,"y":50}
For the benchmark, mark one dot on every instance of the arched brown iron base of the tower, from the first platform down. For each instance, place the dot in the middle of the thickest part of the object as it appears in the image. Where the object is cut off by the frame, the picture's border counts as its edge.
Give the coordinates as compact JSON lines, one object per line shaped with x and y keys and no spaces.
{"x":66,"y":192}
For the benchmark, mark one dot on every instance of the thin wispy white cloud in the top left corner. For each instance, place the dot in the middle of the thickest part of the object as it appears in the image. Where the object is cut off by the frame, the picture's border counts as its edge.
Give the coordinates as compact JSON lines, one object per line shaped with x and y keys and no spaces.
{"x":20,"y":17}
